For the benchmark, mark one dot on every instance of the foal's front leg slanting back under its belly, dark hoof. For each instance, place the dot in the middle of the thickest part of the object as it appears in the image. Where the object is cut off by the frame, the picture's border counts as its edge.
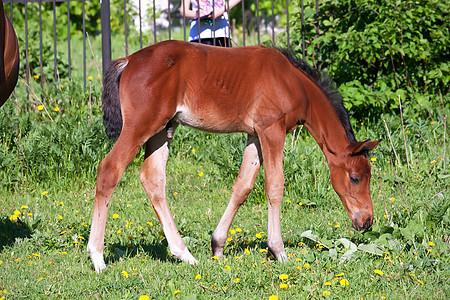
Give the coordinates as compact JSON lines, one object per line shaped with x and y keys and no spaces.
{"x":241,"y":188}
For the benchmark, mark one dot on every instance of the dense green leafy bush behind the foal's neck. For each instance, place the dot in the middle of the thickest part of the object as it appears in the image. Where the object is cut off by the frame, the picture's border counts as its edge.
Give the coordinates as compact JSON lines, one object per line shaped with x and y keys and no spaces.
{"x":378,"y":50}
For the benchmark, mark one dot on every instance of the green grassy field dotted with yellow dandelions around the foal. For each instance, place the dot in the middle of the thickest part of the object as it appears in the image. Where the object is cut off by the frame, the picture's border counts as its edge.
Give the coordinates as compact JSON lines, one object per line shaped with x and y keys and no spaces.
{"x":52,"y":144}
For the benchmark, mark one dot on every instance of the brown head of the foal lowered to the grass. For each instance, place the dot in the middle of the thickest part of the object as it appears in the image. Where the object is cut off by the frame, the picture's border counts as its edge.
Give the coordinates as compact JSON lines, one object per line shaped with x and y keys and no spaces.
{"x":350,"y":177}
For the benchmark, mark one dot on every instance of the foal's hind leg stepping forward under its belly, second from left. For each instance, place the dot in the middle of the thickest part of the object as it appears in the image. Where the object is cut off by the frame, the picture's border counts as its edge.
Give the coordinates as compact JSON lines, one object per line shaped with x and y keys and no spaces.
{"x":153,"y":178}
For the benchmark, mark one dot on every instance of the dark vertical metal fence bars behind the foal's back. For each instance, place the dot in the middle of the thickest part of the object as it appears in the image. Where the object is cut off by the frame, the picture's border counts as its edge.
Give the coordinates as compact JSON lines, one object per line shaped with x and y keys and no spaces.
{"x":264,"y":24}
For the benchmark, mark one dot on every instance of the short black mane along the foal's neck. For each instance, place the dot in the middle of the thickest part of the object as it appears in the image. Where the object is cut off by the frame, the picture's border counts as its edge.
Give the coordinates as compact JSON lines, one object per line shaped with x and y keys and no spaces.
{"x":324,"y":81}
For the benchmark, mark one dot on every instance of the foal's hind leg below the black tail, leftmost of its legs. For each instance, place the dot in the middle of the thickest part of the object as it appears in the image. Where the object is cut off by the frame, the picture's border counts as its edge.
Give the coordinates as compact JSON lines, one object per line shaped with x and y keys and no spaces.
{"x":109,"y":172}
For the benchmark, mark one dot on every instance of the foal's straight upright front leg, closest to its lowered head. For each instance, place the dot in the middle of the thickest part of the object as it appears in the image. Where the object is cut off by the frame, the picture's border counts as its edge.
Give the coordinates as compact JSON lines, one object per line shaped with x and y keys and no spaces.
{"x":272,"y":144}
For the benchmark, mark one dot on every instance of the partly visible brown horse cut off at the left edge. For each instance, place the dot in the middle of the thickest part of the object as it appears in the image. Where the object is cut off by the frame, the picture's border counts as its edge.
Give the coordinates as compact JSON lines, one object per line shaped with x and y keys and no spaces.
{"x":9,"y":56}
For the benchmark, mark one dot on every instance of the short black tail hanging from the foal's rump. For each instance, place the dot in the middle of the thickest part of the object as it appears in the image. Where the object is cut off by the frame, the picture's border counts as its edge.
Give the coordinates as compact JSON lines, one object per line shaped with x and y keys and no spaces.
{"x":112,"y":115}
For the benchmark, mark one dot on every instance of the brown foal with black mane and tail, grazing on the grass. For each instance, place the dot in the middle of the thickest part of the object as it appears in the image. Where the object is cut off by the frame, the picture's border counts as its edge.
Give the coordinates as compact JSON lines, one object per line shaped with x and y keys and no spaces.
{"x":259,"y":91}
